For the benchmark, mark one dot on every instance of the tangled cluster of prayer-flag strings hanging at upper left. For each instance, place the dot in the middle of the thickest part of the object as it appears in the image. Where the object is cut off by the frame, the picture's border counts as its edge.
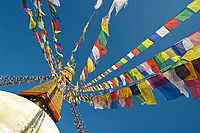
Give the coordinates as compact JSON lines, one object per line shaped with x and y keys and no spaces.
{"x":38,"y":27}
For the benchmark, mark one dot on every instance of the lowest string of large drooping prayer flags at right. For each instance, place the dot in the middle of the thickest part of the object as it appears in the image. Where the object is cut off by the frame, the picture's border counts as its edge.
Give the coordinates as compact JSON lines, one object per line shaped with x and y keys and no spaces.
{"x":188,"y":72}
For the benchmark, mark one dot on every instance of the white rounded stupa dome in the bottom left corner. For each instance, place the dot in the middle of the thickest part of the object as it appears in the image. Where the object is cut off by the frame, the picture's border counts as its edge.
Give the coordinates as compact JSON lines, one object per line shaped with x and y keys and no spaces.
{"x":19,"y":115}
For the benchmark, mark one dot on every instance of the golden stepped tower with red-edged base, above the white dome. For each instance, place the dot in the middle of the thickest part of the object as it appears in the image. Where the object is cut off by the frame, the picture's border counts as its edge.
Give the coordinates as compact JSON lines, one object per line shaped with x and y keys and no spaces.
{"x":47,"y":97}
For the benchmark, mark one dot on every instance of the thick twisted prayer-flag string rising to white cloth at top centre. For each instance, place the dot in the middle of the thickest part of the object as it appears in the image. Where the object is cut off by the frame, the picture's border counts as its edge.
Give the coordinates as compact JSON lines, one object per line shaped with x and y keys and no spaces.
{"x":99,"y":49}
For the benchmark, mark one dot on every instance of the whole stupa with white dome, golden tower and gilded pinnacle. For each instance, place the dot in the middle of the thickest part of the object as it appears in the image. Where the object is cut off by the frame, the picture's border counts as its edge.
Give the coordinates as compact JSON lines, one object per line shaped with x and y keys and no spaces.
{"x":33,"y":111}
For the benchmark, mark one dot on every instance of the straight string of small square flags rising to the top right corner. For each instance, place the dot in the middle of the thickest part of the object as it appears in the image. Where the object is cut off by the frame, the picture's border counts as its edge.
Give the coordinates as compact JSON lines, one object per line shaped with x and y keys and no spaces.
{"x":159,"y":34}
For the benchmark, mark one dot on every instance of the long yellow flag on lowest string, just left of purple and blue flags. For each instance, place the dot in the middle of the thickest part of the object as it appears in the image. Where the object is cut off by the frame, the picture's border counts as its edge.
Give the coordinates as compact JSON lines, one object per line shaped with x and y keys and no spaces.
{"x":146,"y":92}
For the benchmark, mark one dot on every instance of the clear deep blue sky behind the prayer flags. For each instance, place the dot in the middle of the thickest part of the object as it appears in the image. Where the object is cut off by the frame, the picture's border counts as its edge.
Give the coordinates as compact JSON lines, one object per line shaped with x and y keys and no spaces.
{"x":21,"y":55}
